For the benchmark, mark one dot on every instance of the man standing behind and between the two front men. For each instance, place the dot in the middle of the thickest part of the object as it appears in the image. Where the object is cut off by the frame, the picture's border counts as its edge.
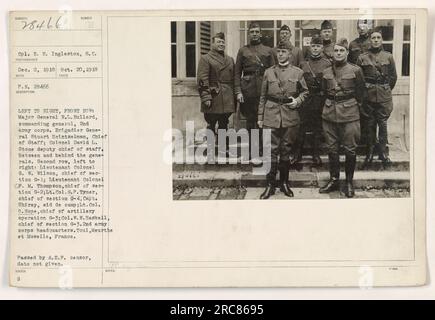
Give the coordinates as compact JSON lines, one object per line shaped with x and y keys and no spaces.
{"x":311,"y":112}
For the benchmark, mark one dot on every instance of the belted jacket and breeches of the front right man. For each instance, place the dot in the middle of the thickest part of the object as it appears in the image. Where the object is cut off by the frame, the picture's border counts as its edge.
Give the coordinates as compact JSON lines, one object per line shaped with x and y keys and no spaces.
{"x":344,"y":87}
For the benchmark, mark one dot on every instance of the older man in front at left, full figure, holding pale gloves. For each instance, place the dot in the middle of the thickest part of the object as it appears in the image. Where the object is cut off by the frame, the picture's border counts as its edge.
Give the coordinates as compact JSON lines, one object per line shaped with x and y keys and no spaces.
{"x":282,"y":93}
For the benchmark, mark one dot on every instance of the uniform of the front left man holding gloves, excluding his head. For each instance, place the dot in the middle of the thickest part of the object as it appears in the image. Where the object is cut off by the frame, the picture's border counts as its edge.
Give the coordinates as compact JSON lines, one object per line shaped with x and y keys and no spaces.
{"x":279,"y":84}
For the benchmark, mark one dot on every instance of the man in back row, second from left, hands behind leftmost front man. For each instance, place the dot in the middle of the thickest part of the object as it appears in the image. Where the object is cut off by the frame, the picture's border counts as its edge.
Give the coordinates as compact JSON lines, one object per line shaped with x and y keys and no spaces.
{"x":252,"y":60}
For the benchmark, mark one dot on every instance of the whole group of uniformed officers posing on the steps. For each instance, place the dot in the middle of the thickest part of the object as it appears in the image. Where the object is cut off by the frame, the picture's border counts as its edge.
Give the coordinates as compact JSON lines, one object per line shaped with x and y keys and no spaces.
{"x":336,"y":90}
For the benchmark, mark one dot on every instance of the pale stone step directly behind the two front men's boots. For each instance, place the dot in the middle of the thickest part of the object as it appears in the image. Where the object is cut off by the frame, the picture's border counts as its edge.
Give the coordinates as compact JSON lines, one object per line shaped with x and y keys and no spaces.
{"x":299,"y":179}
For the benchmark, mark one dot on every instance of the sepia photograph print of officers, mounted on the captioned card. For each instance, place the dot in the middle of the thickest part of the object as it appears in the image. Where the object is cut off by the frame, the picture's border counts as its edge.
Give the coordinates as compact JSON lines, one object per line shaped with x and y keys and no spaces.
{"x":291,"y":109}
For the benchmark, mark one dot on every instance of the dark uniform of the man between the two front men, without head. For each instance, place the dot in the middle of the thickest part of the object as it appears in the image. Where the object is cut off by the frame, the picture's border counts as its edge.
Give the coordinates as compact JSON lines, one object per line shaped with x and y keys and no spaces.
{"x":311,"y":111}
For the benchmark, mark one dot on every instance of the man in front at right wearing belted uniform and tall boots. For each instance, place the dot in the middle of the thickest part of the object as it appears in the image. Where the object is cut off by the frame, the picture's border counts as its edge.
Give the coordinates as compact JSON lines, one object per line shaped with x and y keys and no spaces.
{"x":344,"y":87}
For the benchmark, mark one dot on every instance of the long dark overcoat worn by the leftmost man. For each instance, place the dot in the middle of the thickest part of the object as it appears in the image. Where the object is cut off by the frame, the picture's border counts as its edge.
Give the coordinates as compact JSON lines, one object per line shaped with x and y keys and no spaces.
{"x":216,"y":84}
